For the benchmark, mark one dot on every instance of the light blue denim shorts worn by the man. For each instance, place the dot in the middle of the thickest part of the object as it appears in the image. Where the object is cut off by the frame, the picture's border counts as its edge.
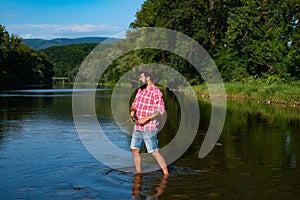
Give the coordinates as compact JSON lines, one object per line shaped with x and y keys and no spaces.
{"x":149,"y":138}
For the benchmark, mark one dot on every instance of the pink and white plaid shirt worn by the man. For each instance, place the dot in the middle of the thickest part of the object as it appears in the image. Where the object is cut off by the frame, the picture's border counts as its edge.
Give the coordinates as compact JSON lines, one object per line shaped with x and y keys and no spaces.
{"x":147,"y":102}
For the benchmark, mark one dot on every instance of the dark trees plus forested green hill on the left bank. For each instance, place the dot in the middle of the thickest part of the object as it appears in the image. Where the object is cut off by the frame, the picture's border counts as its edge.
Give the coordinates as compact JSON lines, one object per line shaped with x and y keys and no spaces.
{"x":22,"y":66}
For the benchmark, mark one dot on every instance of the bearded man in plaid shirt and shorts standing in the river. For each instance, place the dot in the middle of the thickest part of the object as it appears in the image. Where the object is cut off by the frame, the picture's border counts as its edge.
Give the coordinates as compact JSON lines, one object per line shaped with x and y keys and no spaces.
{"x":147,"y":106}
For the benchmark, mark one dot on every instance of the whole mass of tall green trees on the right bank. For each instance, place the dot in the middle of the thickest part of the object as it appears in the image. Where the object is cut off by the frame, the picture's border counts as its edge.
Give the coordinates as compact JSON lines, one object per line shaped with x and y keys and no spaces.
{"x":247,"y":39}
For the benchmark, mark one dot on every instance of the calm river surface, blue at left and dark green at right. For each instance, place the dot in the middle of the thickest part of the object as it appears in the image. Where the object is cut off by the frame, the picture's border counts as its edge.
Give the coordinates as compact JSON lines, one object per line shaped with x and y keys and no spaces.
{"x":42,"y":156}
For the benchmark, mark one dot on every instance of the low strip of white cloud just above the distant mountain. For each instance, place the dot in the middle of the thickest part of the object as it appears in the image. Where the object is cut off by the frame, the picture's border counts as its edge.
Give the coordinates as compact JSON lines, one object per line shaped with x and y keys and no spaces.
{"x":49,"y":31}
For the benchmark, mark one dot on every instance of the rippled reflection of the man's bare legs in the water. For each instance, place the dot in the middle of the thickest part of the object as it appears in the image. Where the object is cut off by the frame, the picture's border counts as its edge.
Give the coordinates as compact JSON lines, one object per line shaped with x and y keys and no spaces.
{"x":158,"y":188}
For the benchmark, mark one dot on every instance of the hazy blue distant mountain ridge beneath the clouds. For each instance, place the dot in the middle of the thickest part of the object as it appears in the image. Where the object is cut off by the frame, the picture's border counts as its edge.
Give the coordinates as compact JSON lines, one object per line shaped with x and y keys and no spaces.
{"x":39,"y":44}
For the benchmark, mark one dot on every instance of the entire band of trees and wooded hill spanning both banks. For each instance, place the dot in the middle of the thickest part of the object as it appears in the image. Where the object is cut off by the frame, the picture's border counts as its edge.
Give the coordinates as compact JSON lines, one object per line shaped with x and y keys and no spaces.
{"x":247,"y":39}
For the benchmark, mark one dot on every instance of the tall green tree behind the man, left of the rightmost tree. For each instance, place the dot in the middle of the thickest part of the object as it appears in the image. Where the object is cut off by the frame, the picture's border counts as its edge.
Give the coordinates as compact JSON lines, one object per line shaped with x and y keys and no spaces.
{"x":202,"y":20}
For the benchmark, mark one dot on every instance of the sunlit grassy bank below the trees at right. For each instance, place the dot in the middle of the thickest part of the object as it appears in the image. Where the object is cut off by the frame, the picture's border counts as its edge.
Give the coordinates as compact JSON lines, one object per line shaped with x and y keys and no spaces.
{"x":279,"y":93}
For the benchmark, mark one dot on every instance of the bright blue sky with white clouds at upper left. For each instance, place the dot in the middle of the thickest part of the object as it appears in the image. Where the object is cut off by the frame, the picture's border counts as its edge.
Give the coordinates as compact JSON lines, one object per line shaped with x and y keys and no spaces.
{"x":48,"y":19}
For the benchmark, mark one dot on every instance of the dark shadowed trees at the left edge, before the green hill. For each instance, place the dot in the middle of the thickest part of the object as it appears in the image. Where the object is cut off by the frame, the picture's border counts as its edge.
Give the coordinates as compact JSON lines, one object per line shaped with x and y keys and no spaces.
{"x":20,"y":65}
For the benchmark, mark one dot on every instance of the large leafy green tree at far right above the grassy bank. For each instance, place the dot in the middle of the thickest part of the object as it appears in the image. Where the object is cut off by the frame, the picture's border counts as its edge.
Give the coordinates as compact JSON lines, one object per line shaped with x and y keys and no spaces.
{"x":259,"y":38}
